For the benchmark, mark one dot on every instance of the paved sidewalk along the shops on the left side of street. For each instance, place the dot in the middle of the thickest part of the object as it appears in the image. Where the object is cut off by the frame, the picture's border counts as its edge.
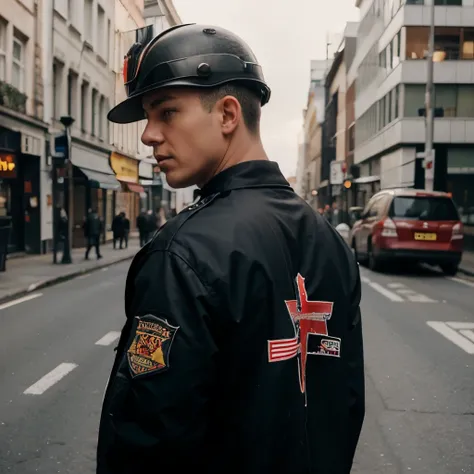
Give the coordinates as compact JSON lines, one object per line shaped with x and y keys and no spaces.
{"x":26,"y":274}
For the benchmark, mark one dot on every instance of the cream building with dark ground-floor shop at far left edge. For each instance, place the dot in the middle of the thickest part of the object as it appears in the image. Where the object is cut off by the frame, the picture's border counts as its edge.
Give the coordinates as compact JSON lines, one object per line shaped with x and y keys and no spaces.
{"x":25,"y":190}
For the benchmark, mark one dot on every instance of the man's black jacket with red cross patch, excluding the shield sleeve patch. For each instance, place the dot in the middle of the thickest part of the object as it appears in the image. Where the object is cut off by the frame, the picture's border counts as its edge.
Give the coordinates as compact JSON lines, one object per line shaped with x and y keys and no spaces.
{"x":271,"y":355}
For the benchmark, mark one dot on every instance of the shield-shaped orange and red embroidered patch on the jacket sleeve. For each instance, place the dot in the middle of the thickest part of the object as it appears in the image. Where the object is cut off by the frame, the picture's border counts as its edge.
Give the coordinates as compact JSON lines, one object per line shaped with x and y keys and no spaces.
{"x":150,"y":348}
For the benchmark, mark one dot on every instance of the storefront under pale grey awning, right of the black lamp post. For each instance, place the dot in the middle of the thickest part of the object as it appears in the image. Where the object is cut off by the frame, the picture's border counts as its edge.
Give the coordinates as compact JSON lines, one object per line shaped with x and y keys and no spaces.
{"x":95,"y":185}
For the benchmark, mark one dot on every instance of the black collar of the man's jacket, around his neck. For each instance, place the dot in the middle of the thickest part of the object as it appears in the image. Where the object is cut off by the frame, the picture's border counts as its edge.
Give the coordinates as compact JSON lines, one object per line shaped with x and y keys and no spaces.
{"x":251,"y":174}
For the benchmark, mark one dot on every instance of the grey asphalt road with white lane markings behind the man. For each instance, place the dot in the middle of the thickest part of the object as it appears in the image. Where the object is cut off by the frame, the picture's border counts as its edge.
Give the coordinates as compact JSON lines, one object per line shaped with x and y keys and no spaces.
{"x":56,"y":351}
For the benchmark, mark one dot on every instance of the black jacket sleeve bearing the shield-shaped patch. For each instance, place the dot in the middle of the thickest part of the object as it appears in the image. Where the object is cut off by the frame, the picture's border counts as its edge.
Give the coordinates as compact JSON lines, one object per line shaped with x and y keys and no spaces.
{"x":159,"y":399}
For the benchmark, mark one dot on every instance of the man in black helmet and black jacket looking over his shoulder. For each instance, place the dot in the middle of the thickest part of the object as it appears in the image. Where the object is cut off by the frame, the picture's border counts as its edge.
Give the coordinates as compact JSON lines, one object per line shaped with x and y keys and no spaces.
{"x":242,"y":349}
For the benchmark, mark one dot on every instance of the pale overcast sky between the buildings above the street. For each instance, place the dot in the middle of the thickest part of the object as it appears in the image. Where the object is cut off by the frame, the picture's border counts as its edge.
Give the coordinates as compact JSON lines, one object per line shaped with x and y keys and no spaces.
{"x":284,"y":35}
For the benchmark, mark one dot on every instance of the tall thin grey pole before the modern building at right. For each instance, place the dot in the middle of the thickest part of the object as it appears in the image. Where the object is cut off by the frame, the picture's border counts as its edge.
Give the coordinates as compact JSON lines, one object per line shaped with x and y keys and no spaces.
{"x":429,"y":158}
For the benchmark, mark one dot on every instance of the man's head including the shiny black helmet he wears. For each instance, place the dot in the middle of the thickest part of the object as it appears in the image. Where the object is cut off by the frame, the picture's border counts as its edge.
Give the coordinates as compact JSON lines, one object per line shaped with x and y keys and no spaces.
{"x":200,"y":89}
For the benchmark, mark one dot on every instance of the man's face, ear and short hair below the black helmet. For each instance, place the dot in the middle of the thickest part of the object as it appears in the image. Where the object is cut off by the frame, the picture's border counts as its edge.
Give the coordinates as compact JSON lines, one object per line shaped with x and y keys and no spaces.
{"x":191,"y":130}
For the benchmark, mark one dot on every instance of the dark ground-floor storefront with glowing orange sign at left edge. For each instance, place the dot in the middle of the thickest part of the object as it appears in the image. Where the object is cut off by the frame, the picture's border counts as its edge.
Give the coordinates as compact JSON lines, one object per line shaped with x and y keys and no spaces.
{"x":20,"y":190}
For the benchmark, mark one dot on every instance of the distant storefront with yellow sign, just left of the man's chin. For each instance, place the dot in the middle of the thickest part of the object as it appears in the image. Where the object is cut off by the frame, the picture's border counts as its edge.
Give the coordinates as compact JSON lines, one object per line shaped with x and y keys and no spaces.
{"x":127,"y":198}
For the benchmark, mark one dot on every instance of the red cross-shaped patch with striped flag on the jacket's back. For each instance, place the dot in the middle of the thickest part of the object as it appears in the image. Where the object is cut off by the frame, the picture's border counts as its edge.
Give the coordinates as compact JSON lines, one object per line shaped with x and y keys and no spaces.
{"x":308,"y":318}
